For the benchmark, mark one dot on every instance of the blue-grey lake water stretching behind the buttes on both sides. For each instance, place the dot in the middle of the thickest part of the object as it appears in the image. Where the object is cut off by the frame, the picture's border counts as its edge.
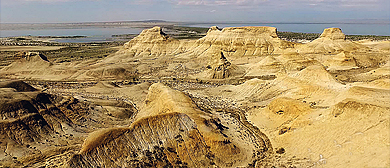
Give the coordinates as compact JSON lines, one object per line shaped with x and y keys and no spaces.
{"x":105,"y":34}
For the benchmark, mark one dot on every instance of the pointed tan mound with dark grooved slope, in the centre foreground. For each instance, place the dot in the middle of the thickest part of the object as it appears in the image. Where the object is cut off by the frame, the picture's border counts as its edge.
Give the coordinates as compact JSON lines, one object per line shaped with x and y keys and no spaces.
{"x":172,"y":131}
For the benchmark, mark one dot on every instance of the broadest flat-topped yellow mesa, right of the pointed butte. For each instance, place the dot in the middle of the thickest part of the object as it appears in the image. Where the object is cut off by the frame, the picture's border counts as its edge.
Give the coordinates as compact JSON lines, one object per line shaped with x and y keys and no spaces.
{"x":240,"y":41}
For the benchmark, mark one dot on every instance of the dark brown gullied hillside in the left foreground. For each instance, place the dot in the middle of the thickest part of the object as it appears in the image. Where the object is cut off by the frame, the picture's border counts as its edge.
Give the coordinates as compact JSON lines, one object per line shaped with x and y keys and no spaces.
{"x":35,"y":126}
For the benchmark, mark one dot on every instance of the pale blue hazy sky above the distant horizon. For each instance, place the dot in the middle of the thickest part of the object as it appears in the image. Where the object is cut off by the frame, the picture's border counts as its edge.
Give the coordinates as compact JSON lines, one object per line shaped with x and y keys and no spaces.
{"x":65,"y":11}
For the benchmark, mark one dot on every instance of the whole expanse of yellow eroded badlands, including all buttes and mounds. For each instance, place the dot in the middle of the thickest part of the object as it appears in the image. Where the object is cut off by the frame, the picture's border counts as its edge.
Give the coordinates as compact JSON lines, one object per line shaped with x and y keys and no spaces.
{"x":238,"y":97}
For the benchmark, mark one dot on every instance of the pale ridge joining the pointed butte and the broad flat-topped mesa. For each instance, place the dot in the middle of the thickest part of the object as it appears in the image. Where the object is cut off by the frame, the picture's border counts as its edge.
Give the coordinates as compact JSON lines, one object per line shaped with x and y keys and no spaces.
{"x":234,"y":41}
